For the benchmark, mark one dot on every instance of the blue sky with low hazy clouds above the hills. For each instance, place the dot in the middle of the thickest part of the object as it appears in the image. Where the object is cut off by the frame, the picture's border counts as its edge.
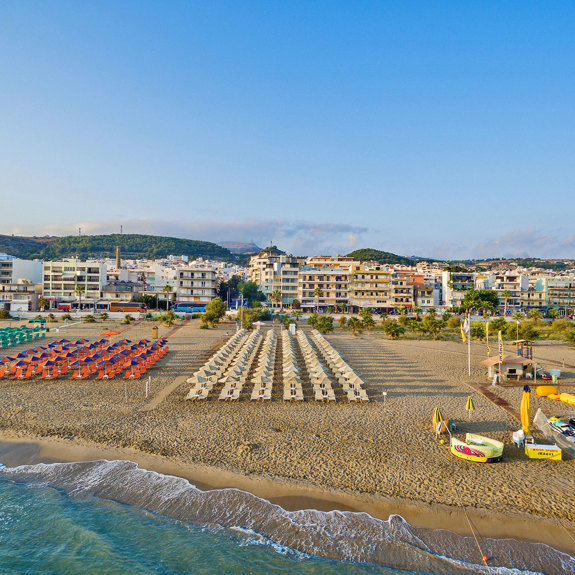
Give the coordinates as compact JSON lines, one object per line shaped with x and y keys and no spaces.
{"x":440,"y":129}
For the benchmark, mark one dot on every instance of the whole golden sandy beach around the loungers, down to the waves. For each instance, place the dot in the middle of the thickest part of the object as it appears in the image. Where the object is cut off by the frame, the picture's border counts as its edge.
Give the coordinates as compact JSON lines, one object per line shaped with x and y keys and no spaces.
{"x":380,"y":457}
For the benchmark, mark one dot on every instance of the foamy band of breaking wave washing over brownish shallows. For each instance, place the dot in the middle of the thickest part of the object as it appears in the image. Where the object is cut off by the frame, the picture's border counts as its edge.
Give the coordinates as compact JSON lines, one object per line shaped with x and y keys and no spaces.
{"x":342,"y":535}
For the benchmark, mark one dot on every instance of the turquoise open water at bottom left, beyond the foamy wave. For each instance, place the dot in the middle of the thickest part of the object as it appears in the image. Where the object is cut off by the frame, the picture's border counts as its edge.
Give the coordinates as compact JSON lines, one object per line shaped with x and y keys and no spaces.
{"x":44,"y":530}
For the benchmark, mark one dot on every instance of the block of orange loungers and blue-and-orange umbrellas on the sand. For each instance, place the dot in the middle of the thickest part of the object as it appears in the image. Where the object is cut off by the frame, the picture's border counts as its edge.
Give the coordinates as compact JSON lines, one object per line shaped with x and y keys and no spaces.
{"x":58,"y":358}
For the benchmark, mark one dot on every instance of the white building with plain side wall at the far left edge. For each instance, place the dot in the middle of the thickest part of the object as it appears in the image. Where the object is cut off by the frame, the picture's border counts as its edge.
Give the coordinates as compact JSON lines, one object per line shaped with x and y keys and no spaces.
{"x":20,"y":283}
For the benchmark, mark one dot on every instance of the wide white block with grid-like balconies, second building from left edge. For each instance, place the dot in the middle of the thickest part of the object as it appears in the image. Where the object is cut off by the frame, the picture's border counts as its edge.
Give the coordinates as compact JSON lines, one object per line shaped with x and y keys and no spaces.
{"x":73,"y":281}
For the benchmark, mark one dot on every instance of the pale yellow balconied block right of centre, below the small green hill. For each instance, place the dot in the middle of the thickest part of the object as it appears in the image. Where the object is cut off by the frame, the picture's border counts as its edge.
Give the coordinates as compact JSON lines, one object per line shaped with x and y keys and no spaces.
{"x":371,"y":286}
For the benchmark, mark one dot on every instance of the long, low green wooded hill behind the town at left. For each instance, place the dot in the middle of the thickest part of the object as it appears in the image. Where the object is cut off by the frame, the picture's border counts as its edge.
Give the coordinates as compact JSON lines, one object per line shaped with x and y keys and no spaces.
{"x":134,"y":246}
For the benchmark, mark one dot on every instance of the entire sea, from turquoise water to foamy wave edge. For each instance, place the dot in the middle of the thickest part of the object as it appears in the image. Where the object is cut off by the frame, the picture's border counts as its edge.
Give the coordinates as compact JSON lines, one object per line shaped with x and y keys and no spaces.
{"x":108,"y":517}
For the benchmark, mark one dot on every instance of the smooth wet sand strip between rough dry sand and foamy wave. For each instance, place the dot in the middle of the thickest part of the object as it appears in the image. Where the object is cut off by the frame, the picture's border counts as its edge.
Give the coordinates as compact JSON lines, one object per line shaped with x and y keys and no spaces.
{"x":292,"y":495}
